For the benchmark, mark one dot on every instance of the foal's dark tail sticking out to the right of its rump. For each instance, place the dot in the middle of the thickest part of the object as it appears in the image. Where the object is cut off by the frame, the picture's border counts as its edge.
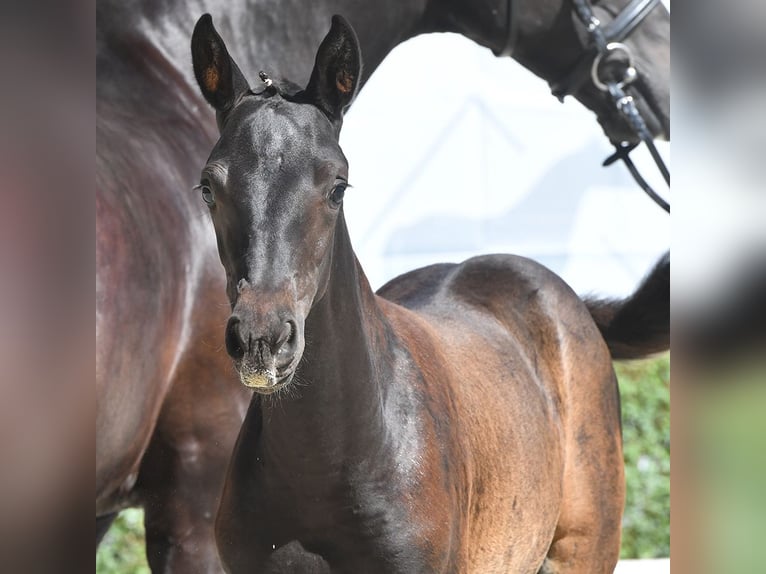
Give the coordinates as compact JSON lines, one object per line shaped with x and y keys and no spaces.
{"x":638,"y":325}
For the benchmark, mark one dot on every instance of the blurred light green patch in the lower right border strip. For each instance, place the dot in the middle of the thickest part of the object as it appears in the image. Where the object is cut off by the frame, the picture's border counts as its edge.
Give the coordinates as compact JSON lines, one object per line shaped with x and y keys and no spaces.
{"x":725,"y":470}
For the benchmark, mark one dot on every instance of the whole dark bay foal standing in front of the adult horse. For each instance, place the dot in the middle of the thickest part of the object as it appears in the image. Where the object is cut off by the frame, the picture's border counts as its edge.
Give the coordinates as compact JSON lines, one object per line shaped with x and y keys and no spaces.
{"x":464,"y":419}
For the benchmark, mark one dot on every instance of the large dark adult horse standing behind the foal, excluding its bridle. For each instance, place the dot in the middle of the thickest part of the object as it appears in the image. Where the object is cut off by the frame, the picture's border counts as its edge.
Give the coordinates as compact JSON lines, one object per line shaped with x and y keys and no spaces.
{"x":168,"y":409}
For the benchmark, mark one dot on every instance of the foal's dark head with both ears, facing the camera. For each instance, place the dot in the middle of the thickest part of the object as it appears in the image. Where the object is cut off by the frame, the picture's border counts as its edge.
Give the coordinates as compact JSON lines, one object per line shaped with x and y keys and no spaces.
{"x":274,"y":184}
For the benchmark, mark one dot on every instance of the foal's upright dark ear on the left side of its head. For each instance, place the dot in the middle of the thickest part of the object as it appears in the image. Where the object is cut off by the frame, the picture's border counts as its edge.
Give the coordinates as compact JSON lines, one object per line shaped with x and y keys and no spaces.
{"x":218,"y":76}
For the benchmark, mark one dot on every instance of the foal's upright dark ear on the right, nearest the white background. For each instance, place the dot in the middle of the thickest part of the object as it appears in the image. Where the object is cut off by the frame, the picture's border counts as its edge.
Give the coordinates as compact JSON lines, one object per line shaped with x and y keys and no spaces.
{"x":337,"y":69}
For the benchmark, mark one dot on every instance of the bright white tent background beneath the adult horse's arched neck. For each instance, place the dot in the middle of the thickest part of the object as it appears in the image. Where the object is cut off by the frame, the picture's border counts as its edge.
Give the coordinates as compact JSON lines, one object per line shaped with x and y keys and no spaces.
{"x":454,"y":152}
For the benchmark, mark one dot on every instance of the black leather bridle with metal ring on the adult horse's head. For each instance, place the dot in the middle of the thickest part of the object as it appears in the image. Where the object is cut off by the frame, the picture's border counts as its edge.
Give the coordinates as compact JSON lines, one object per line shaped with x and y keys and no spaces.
{"x":605,"y":40}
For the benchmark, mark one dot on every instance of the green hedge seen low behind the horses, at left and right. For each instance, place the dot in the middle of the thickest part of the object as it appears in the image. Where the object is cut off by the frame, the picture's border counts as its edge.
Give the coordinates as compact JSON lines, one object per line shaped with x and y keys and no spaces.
{"x":644,"y":386}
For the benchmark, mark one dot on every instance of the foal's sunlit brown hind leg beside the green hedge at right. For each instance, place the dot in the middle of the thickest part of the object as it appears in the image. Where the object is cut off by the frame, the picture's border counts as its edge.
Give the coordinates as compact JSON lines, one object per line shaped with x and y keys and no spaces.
{"x":587,"y":536}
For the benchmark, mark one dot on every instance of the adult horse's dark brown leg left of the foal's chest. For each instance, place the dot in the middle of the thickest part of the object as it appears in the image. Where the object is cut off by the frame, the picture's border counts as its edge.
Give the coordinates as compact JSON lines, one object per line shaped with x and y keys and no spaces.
{"x":183,"y":470}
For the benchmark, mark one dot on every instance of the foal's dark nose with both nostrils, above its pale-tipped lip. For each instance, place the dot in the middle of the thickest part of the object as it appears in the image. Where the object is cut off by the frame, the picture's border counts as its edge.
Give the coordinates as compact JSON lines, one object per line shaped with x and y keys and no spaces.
{"x":273,"y":342}
